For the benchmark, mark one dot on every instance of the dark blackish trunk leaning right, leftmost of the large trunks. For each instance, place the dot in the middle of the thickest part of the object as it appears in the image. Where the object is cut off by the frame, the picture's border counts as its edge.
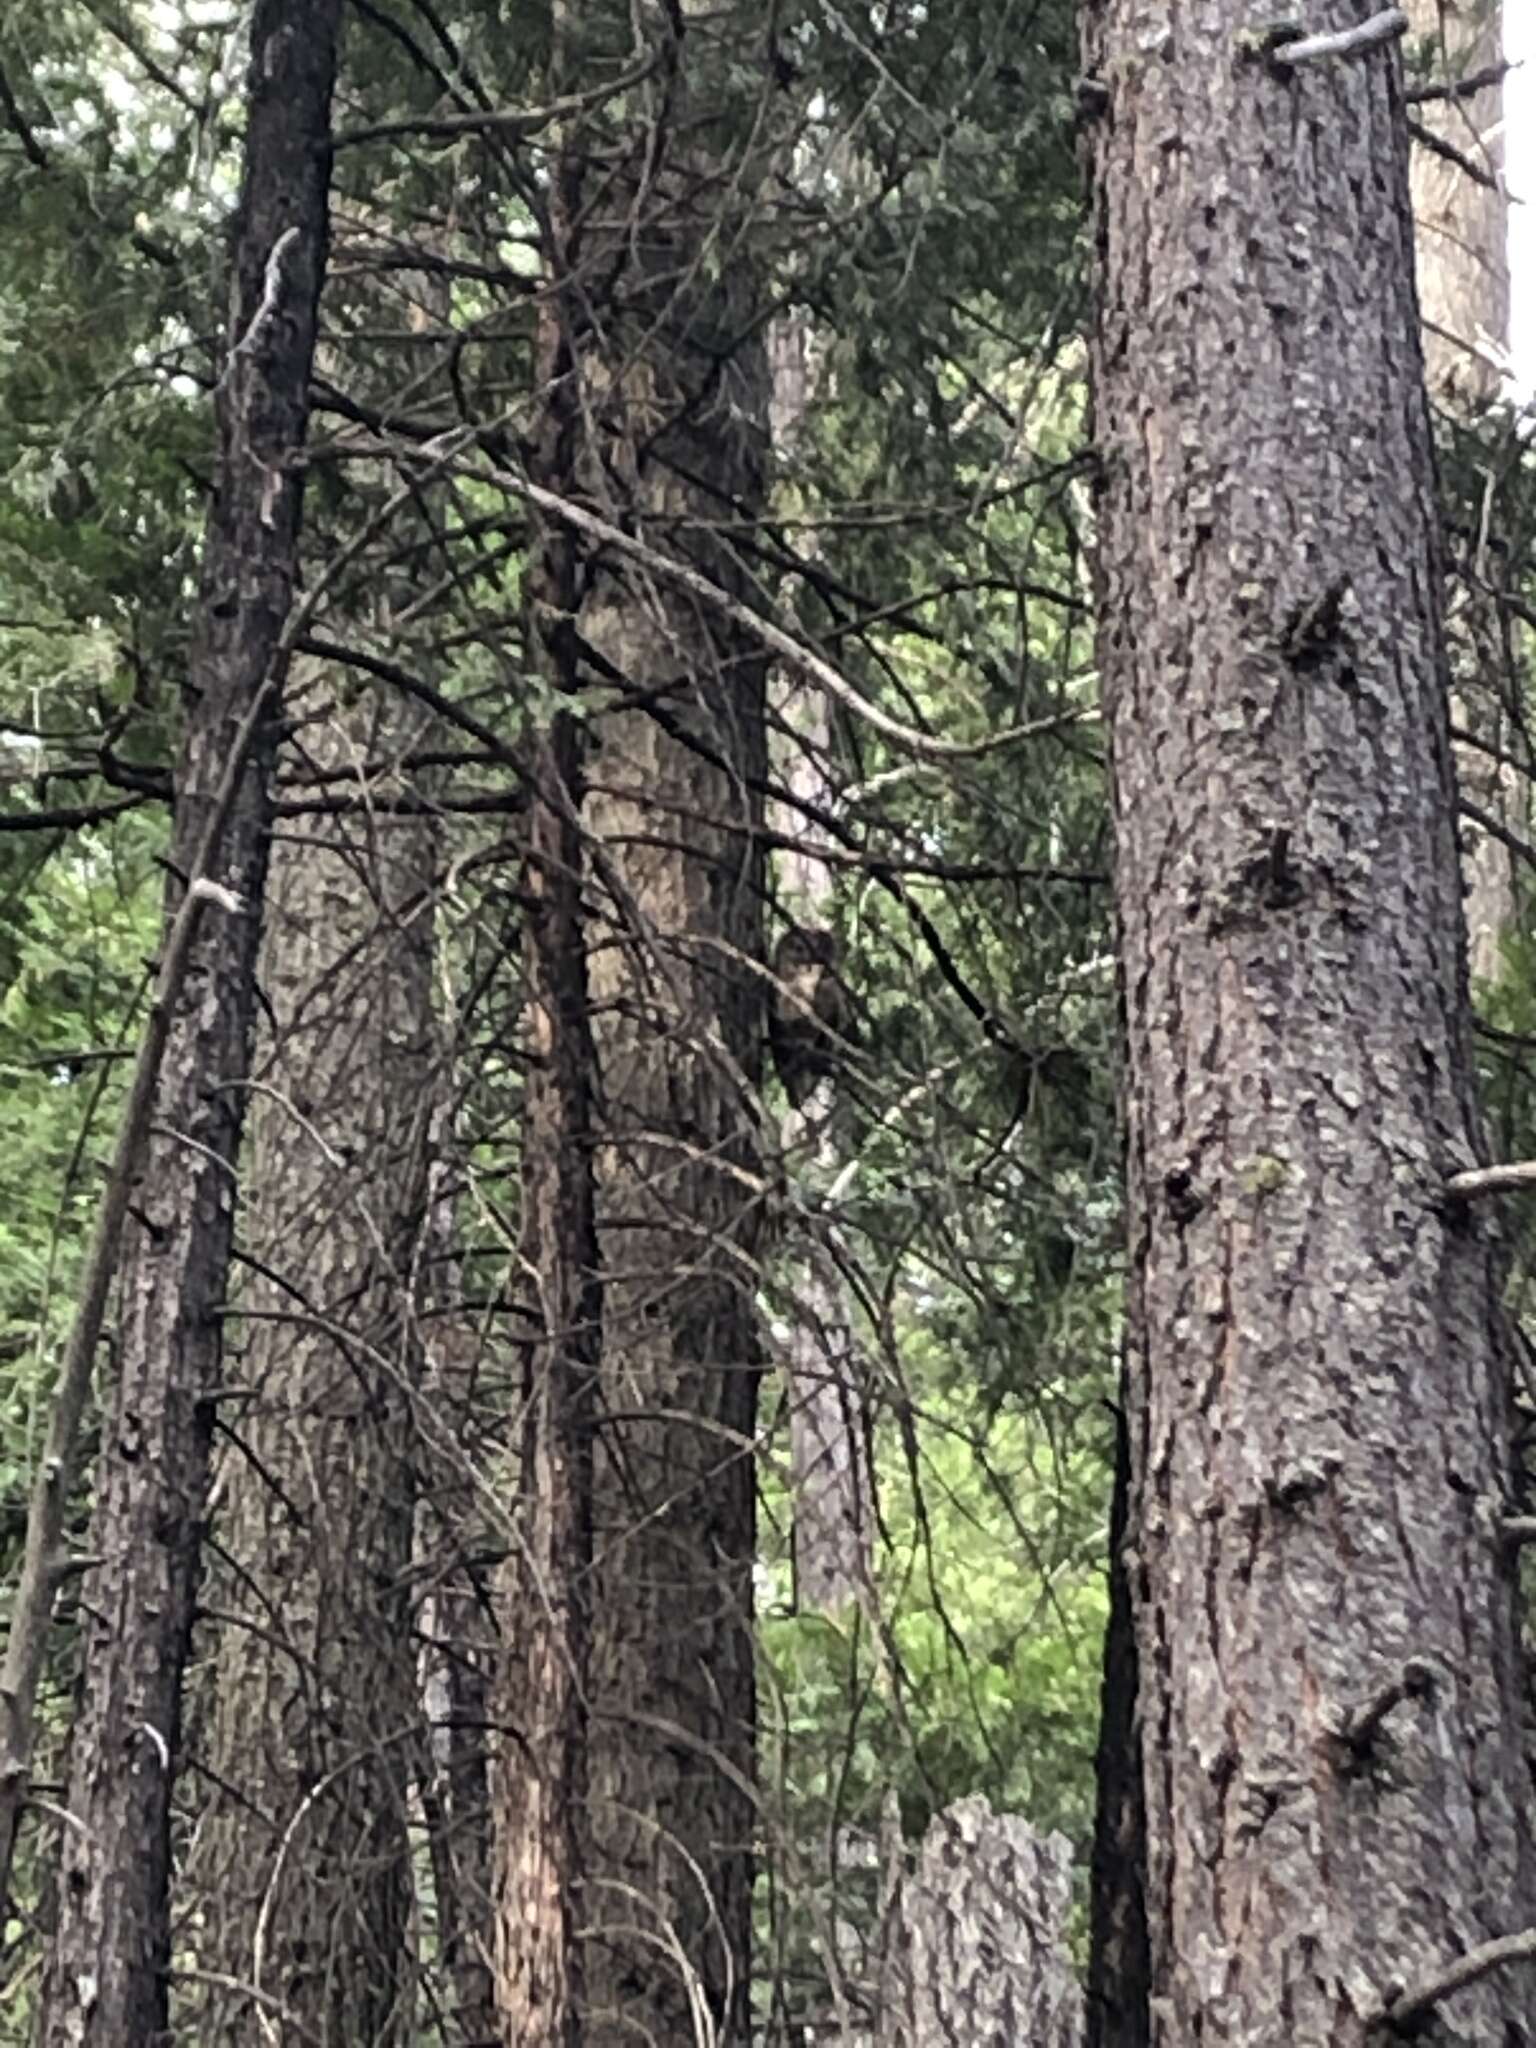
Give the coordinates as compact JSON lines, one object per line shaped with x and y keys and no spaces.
{"x":108,"y":1977}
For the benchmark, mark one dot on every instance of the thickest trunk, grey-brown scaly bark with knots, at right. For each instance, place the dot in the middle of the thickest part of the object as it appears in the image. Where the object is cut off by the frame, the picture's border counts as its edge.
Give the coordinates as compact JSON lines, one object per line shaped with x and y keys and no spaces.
{"x":1318,"y":1367}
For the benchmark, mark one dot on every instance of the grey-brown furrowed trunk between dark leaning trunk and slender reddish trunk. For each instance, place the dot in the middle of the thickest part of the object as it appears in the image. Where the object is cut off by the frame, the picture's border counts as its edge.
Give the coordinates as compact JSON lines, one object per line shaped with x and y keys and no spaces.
{"x":302,"y":1859}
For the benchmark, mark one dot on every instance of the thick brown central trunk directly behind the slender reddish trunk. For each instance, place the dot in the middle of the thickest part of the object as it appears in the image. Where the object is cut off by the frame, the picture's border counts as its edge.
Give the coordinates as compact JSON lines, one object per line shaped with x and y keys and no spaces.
{"x":658,"y":417}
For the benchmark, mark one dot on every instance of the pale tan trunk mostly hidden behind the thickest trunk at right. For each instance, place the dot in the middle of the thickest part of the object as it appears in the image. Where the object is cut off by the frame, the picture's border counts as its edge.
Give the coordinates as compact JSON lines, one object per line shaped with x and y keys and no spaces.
{"x":1461,"y":220}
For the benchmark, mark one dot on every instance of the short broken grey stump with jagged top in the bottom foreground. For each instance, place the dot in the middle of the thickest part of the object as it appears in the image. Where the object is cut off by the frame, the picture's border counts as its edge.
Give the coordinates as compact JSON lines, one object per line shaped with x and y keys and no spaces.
{"x":978,"y":1951}
